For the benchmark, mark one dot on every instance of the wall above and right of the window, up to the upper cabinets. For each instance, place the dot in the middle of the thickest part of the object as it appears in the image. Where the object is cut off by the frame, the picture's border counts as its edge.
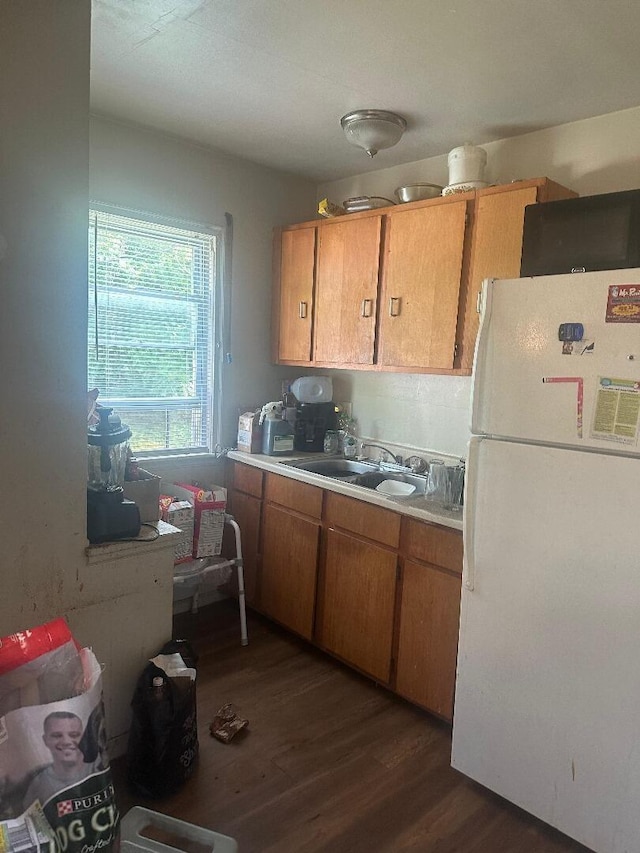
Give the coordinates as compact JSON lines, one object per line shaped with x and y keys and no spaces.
{"x":143,"y":170}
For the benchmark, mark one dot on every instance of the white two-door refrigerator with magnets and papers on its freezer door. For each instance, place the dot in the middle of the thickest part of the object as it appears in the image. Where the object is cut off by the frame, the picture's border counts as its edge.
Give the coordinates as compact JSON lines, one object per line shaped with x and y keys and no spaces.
{"x":547,"y":709}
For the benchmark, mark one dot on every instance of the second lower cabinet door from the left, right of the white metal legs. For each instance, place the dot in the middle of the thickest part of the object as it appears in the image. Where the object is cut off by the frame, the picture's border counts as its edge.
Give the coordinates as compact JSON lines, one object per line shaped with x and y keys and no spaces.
{"x":289,"y":568}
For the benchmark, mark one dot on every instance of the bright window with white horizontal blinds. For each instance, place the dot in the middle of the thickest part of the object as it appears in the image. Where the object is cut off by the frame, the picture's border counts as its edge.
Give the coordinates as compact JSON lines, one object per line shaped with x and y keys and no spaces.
{"x":151,"y":327}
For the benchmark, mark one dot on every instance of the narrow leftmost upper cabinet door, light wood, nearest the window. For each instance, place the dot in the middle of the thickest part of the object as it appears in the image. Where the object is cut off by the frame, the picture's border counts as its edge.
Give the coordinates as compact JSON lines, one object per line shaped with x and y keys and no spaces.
{"x":296,"y":294}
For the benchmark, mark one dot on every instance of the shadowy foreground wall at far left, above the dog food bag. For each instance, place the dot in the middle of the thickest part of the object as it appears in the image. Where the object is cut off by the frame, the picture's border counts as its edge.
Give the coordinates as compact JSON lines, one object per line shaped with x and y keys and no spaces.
{"x":44,"y":103}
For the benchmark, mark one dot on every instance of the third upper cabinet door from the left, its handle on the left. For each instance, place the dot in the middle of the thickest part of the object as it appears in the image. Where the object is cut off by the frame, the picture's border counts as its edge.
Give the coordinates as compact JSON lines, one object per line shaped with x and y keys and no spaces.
{"x":422,"y":269}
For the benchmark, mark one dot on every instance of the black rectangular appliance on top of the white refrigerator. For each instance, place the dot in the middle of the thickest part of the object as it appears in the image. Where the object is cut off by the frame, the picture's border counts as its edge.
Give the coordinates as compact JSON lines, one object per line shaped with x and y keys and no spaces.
{"x":598,"y":232}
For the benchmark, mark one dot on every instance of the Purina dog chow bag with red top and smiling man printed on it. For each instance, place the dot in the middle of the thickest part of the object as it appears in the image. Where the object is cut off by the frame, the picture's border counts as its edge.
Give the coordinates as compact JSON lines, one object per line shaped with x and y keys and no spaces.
{"x":56,"y":790}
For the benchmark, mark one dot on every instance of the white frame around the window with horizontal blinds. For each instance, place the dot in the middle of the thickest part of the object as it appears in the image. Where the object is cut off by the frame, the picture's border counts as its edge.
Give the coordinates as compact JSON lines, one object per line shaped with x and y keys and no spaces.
{"x":214,"y":333}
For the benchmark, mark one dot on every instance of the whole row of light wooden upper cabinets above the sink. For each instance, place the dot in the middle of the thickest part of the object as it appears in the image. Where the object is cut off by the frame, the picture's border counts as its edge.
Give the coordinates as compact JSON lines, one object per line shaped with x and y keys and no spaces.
{"x":397,"y":288}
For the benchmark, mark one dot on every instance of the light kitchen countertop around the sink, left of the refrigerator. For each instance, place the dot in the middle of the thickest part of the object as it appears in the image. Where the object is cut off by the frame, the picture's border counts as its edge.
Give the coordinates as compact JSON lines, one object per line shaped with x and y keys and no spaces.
{"x":417,"y":507}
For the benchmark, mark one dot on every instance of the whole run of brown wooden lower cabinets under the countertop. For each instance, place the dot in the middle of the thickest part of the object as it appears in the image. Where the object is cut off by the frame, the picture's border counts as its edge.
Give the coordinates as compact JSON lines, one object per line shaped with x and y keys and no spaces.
{"x":379,"y":590}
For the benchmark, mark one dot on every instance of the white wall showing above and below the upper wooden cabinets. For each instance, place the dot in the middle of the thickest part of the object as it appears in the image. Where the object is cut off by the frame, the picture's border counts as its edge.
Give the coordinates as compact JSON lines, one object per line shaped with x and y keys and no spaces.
{"x":592,"y":156}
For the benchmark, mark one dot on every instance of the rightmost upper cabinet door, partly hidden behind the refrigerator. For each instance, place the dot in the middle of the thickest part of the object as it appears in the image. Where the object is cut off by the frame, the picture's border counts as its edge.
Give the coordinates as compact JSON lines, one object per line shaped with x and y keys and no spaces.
{"x":496,"y":246}
